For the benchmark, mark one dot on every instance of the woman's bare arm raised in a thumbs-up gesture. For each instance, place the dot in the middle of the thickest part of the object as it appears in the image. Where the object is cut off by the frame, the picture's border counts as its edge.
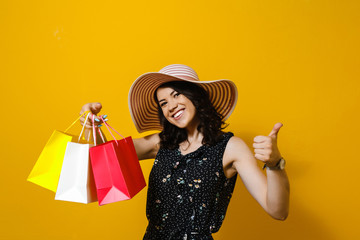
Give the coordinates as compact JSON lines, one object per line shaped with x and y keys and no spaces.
{"x":271,"y":191}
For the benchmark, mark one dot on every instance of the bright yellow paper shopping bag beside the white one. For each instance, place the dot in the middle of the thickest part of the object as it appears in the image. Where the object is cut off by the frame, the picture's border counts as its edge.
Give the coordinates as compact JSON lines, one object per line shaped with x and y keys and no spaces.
{"x":46,"y":170}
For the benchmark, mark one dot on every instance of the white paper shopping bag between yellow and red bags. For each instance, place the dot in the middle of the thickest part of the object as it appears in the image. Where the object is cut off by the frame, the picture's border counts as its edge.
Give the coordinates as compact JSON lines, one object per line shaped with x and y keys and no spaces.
{"x":76,"y":182}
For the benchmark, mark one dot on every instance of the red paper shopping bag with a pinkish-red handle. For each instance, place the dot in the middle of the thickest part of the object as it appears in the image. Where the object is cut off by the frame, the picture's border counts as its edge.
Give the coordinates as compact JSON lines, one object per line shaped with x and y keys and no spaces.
{"x":116,"y":169}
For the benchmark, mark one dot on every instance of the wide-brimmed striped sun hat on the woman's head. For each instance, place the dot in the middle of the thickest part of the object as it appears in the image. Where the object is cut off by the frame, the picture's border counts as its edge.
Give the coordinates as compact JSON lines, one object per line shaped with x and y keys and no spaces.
{"x":143,"y":107}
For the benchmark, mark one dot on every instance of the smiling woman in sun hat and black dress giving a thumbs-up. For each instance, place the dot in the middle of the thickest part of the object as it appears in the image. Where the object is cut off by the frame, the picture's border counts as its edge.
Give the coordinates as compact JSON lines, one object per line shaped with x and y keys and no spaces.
{"x":196,"y":163}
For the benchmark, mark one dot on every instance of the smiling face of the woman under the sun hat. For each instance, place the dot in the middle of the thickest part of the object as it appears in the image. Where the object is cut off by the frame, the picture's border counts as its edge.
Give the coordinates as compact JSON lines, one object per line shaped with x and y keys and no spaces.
{"x":177,"y":108}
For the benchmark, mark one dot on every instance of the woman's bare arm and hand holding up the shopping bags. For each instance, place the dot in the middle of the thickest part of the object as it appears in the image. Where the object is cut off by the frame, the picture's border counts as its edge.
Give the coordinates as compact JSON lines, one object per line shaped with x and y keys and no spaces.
{"x":146,"y":147}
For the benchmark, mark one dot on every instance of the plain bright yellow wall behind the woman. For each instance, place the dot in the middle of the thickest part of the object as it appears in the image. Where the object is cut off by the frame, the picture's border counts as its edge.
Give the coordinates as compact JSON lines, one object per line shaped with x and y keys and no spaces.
{"x":295,"y":62}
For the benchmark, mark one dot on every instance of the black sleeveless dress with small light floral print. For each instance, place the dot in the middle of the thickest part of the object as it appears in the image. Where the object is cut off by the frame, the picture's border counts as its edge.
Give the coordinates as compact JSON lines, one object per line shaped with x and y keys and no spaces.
{"x":188,"y":194}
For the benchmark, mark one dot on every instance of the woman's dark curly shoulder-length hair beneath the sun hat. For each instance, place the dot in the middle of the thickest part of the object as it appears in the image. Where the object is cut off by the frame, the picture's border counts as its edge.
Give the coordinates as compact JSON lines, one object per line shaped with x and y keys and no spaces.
{"x":211,"y":122}
